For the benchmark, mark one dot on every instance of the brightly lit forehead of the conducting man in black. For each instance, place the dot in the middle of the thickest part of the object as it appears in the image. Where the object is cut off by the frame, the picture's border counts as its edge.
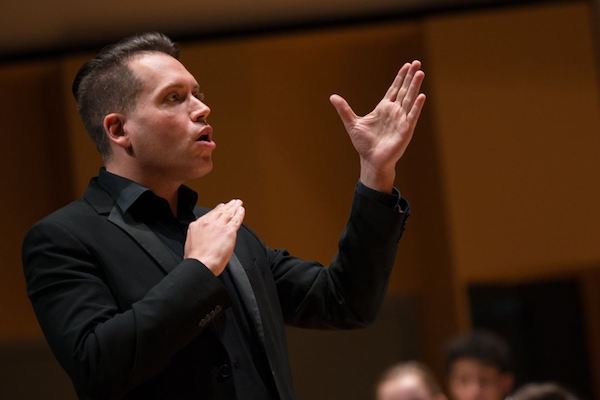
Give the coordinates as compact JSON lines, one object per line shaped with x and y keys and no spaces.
{"x":157,"y":70}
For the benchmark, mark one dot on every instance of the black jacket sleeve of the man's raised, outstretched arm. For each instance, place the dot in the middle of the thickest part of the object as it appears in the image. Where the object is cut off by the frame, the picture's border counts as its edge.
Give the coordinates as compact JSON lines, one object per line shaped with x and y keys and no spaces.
{"x":349,"y":293}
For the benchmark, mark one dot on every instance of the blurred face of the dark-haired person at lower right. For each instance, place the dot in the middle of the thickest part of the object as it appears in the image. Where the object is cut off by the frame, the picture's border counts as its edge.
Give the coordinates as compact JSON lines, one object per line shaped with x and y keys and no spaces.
{"x":470,"y":379}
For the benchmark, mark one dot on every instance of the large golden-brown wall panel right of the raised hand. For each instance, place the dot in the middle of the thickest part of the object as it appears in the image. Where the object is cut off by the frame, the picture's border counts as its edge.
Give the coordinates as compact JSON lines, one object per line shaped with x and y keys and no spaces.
{"x":517,"y":122}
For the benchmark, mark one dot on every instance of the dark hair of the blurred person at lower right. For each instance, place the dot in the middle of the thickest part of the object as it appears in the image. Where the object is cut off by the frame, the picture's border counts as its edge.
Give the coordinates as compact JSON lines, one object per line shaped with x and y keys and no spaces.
{"x":484,"y":346}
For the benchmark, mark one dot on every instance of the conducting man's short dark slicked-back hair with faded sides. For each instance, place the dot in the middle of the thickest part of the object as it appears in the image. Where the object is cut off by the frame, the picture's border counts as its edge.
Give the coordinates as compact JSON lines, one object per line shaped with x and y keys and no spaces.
{"x":106,"y":84}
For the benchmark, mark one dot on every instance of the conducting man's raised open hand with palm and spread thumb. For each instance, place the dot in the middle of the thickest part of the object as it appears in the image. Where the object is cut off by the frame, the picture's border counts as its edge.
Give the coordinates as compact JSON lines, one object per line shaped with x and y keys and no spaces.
{"x":381,"y":137}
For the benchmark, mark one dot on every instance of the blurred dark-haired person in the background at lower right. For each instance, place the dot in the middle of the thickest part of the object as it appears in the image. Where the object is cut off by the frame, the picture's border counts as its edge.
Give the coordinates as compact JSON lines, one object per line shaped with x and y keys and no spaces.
{"x":479,"y":367}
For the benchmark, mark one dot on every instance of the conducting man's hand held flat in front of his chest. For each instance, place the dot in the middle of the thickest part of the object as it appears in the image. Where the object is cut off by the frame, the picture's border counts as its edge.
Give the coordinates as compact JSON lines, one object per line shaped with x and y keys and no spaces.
{"x":211,"y":238}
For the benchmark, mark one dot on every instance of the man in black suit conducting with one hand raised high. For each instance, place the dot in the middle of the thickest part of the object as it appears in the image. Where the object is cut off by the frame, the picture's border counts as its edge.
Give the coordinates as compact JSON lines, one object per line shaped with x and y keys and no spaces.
{"x":142,"y":295}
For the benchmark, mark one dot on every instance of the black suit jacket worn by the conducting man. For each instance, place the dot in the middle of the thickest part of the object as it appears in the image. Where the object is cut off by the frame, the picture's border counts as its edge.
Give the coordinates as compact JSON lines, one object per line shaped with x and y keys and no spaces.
{"x":127,"y":319}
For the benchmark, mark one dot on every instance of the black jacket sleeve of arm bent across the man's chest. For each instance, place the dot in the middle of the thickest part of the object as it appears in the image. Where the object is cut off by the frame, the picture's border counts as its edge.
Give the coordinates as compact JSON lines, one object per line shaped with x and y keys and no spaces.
{"x":105,"y":350}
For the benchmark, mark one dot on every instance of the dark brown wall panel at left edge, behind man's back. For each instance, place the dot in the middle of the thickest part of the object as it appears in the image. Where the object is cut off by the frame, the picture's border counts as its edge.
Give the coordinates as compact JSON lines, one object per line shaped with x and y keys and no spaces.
{"x":35,"y":179}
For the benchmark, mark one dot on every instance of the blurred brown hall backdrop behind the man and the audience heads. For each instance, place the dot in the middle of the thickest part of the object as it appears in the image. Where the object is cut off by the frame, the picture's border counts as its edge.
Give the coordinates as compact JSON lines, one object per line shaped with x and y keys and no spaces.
{"x":502,"y":174}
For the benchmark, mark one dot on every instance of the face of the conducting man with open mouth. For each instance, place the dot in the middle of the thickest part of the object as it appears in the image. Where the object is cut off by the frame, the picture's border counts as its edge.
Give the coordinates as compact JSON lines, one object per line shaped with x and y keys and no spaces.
{"x":169,"y":136}
